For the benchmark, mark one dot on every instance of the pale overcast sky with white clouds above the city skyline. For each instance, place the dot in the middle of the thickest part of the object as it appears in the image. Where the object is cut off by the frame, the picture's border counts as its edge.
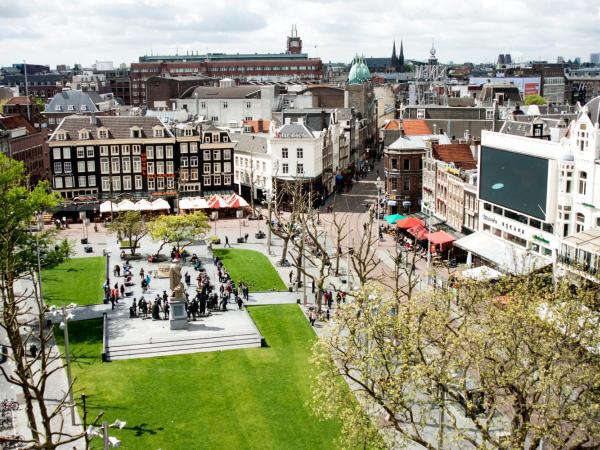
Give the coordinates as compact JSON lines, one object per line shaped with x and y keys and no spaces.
{"x":83,"y":31}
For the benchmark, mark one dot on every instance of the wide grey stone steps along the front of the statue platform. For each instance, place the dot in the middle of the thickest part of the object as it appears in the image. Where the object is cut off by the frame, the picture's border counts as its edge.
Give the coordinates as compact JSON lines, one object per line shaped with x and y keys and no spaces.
{"x":173,"y":346}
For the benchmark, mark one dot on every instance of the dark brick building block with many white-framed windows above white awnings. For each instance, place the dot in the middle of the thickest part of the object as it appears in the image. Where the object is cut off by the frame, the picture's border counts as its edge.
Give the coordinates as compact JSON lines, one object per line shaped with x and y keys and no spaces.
{"x":138,"y":157}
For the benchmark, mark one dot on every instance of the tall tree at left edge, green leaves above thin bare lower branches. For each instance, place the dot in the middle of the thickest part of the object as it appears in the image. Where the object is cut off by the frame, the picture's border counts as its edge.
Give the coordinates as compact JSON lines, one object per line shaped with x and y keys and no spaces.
{"x":23,"y":313}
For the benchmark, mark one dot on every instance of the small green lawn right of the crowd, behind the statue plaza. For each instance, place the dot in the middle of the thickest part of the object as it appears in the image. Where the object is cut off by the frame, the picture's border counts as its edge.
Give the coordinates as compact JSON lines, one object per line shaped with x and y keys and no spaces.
{"x":252,"y":267}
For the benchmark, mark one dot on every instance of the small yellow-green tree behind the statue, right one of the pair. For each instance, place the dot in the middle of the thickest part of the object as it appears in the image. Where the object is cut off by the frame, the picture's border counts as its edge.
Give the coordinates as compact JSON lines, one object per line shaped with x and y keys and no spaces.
{"x":180,"y":230}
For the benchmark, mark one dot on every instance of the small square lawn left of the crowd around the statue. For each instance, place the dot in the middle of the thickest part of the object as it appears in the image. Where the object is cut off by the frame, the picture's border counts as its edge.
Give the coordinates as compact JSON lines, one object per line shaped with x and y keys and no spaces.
{"x":77,"y":280}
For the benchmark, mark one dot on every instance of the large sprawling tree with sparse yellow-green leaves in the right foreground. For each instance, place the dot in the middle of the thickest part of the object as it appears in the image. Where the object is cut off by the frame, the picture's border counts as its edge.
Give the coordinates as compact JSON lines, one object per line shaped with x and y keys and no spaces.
{"x":512,"y":365}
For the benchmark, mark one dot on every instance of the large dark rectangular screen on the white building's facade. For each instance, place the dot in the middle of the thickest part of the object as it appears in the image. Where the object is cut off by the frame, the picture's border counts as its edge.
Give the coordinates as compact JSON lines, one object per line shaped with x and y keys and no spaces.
{"x":513,"y":180}
